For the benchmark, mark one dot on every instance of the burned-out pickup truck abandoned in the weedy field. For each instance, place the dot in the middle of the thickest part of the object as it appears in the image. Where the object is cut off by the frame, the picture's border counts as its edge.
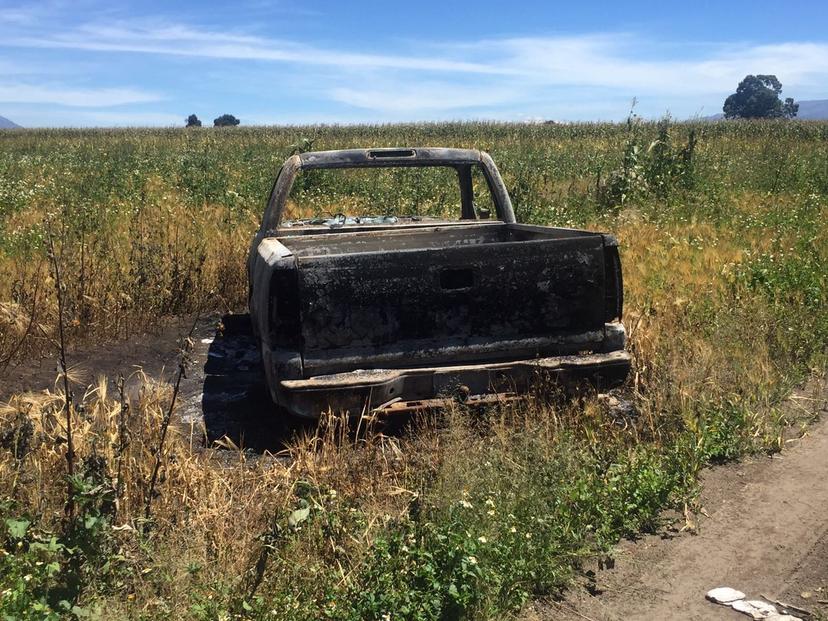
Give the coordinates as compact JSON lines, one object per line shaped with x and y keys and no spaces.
{"x":365,"y":305}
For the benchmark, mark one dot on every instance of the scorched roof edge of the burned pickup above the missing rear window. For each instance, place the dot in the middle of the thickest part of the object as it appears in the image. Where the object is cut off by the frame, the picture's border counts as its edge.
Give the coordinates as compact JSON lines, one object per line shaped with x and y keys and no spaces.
{"x":396,"y":156}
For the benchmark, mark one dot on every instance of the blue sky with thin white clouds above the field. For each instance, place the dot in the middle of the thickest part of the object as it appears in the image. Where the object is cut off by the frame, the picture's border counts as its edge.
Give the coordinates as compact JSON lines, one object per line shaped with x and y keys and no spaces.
{"x":89,"y":62}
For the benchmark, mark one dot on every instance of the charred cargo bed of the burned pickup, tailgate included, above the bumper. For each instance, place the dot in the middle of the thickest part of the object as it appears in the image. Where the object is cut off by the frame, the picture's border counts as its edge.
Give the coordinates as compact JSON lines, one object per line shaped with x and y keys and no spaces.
{"x":407,"y":297}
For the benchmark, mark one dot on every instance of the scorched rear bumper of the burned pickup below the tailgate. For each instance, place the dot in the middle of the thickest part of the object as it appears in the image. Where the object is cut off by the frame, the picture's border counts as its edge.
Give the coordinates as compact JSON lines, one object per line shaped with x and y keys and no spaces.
{"x":400,"y":390}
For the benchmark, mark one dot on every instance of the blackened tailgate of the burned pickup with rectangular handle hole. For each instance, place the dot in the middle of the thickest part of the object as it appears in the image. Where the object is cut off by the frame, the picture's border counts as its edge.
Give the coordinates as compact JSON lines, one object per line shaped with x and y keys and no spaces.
{"x":395,"y":308}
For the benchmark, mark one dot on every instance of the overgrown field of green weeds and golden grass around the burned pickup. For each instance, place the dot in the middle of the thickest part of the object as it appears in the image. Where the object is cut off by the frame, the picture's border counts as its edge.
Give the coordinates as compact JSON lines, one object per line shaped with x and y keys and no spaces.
{"x":104,"y":233}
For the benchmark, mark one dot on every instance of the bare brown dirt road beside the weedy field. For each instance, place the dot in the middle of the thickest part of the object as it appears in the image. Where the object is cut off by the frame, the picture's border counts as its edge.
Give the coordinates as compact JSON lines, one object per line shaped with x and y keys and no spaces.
{"x":766,"y":534}
